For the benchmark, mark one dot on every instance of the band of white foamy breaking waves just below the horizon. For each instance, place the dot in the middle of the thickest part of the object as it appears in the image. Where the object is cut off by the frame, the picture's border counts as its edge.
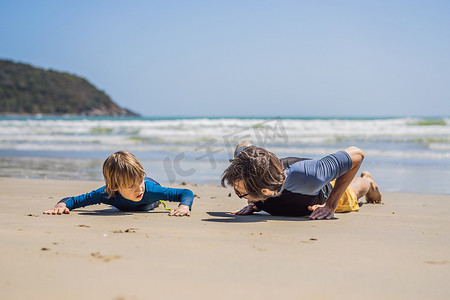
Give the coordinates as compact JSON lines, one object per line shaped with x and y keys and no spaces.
{"x":401,"y":137}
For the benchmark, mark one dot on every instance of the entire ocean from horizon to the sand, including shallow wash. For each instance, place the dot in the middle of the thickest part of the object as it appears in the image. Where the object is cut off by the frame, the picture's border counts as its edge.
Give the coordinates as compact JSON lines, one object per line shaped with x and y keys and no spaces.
{"x":403,"y":154}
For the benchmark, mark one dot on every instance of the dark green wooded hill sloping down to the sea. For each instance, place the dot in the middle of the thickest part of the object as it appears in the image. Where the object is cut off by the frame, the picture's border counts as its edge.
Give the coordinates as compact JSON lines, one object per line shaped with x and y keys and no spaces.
{"x":25,"y":89}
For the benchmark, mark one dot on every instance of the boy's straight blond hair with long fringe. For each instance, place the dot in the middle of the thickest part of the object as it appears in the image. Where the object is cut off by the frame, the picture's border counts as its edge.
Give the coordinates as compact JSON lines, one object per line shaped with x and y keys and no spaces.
{"x":121,"y":169}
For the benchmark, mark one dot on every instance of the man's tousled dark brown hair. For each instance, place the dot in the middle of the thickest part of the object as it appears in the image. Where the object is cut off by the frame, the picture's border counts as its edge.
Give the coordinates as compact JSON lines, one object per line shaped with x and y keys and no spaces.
{"x":258,"y":168}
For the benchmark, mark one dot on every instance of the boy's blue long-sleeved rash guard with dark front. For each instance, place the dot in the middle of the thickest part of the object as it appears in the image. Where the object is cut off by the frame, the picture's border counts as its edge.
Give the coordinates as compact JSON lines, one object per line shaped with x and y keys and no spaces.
{"x":153,"y":193}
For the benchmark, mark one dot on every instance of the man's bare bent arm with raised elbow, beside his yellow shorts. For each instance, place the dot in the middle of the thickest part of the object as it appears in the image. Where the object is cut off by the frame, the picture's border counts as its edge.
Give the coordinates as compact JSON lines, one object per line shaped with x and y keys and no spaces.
{"x":342,"y":182}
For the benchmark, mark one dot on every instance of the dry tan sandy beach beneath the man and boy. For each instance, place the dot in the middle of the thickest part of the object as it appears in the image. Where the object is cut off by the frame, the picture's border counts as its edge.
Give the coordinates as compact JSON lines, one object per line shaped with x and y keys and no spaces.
{"x":397,"y":250}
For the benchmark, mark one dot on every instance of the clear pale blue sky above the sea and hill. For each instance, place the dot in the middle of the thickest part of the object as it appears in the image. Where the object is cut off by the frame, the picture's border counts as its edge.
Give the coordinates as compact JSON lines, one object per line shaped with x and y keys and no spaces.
{"x":244,"y":58}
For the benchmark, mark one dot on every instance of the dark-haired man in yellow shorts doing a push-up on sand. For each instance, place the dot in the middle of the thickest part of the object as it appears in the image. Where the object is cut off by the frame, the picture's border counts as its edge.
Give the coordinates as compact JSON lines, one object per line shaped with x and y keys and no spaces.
{"x":297,"y":186}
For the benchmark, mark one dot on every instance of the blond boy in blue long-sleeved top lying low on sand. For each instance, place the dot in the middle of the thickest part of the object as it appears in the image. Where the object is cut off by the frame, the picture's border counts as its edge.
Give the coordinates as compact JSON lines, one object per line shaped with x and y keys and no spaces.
{"x":127,"y":189}
